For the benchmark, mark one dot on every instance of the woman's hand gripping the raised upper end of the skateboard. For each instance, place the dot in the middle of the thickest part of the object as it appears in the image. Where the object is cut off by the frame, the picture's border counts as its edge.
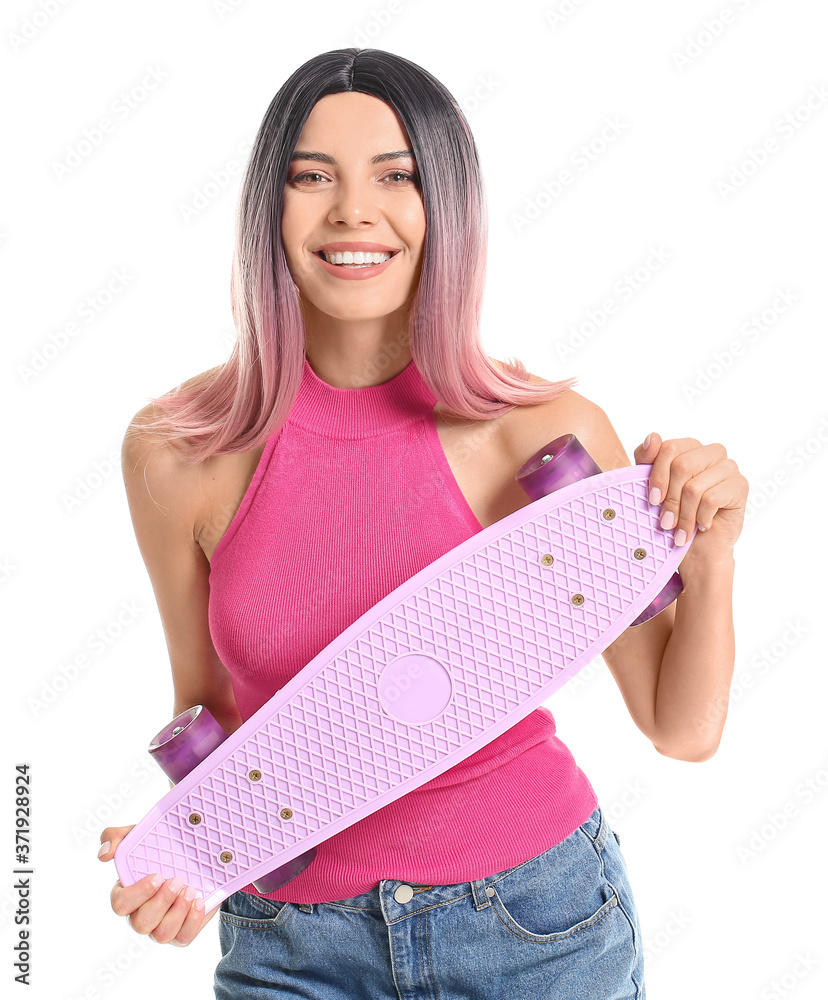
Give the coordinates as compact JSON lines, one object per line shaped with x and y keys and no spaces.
{"x":700,"y":485}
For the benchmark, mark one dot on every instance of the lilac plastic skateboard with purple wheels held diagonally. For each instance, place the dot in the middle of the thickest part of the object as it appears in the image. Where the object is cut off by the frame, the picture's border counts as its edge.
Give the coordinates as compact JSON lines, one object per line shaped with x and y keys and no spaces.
{"x":441,"y":666}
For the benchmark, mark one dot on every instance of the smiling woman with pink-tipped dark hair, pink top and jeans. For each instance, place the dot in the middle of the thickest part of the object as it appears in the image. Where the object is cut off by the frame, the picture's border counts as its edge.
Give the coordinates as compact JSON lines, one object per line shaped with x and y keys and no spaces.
{"x":356,"y":433}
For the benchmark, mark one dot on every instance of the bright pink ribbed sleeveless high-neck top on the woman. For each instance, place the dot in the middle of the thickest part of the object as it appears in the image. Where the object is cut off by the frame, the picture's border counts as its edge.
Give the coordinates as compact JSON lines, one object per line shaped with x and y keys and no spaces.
{"x":351,"y":497}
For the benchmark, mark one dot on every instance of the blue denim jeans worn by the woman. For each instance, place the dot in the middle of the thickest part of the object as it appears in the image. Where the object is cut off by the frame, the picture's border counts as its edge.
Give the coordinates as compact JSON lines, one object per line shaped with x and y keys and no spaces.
{"x":562,"y":924}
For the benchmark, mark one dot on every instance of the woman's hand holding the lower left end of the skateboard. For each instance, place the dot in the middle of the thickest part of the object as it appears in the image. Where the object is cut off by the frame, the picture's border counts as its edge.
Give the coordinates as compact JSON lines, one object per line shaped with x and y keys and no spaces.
{"x":168,"y":911}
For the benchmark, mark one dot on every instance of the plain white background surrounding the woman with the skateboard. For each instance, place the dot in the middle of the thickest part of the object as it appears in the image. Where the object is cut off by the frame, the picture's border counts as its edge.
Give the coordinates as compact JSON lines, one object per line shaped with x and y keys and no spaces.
{"x":731,"y":905}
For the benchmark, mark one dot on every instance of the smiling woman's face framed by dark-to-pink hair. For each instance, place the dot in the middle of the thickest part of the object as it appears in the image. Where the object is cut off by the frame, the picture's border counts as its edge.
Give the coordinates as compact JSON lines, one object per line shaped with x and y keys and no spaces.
{"x":339,"y":196}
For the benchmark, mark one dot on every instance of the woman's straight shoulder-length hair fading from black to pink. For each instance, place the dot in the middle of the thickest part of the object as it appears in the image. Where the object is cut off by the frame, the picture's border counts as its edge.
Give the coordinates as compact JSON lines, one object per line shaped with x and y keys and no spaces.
{"x":238,"y":405}
